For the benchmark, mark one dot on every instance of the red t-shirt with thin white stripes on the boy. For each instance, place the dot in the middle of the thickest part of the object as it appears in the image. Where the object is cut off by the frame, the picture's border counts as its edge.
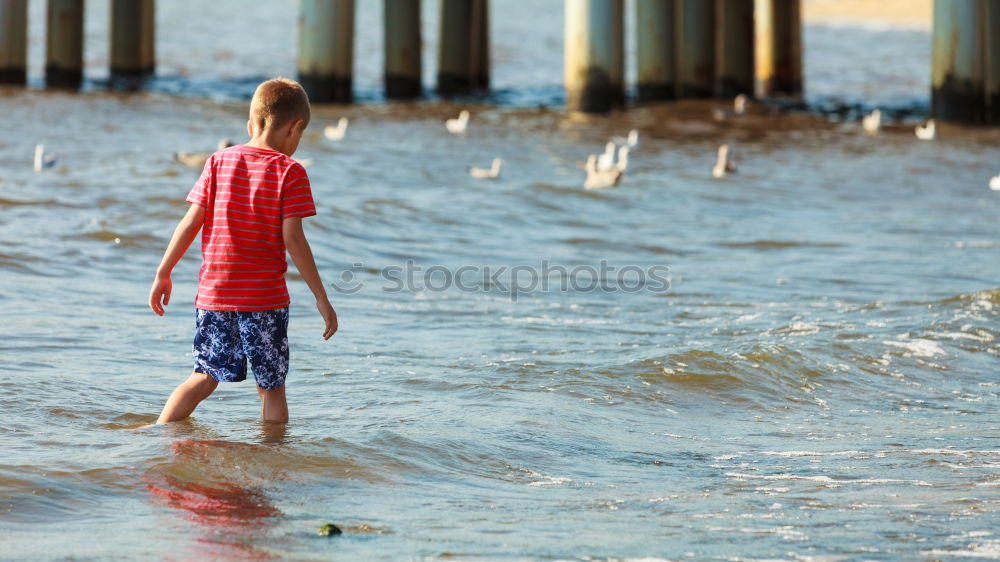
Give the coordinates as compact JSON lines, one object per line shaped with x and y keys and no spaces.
{"x":246,"y":193}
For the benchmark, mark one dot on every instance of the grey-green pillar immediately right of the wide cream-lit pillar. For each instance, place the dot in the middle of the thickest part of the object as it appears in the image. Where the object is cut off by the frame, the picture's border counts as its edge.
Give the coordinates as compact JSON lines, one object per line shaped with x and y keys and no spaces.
{"x":656,"y":31}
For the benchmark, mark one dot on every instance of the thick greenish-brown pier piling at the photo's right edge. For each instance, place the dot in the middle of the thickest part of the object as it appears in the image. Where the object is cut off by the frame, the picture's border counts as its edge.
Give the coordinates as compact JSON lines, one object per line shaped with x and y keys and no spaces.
{"x":965,"y":65}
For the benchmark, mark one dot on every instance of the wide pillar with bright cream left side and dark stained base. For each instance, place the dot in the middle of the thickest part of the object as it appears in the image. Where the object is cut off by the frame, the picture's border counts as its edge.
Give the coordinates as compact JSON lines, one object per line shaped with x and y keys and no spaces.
{"x":594,"y":69}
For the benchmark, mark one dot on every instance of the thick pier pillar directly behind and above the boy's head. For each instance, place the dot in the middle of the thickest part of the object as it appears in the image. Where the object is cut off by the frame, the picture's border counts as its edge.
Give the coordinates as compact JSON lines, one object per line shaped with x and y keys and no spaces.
{"x":326,"y":49}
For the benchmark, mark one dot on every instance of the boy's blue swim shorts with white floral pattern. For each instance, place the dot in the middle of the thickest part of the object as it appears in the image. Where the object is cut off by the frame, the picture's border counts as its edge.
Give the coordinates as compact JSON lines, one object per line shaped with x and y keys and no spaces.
{"x":225,"y":340}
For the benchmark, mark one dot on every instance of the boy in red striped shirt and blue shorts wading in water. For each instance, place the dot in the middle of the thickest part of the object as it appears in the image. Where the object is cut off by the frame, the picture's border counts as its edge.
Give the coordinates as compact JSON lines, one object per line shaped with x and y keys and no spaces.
{"x":251,"y":200}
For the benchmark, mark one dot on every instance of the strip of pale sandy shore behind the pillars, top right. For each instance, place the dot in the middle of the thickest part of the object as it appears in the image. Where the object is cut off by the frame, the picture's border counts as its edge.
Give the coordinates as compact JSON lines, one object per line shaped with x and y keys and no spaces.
{"x":895,"y":13}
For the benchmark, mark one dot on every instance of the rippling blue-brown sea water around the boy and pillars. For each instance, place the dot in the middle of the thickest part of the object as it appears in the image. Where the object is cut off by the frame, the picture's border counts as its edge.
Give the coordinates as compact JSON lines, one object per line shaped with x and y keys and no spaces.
{"x":817,"y":383}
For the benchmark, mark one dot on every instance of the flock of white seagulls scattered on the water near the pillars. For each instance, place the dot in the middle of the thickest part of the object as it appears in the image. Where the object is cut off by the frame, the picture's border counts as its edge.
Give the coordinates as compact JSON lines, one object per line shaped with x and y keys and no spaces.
{"x":604,"y":170}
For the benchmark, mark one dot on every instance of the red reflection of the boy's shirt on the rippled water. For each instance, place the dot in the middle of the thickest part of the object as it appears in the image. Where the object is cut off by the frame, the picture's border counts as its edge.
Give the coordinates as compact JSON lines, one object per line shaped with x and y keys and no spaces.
{"x":213,"y":484}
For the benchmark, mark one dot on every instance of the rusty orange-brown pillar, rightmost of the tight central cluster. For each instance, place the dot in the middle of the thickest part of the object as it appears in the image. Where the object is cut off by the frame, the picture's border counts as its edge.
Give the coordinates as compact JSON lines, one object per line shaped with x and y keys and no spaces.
{"x":779,"y":47}
